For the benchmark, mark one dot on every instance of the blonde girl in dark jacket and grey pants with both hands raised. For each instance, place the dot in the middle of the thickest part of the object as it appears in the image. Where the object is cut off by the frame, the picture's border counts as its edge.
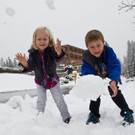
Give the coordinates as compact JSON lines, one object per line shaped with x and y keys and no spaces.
{"x":42,"y":57}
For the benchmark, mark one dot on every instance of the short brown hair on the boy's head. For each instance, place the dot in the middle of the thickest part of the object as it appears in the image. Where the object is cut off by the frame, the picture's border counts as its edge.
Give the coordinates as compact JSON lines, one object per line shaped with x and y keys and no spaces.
{"x":93,"y":35}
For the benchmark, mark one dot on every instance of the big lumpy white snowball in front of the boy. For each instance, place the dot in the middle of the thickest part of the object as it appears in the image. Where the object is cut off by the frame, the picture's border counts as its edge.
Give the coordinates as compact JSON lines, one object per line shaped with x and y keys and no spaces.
{"x":90,"y":87}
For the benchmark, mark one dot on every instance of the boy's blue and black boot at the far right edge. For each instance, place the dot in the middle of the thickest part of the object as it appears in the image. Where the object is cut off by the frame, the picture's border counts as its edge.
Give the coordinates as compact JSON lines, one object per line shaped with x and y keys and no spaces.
{"x":128,"y":118}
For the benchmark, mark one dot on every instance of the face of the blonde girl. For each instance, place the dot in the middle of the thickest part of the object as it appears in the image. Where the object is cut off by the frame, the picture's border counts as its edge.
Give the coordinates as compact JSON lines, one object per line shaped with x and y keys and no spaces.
{"x":42,"y":40}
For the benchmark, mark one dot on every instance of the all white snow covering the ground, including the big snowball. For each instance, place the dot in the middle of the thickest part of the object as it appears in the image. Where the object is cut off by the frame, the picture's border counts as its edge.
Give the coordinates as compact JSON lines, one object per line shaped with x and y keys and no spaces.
{"x":18,"y":115}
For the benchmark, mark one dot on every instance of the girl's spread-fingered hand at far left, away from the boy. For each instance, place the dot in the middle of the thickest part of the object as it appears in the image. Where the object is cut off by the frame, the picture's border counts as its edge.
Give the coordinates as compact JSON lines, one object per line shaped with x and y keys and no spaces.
{"x":21,"y":58}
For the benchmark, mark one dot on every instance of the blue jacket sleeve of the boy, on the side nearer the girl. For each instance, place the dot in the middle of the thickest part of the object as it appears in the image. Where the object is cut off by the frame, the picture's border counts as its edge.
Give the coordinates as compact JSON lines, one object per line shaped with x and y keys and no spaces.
{"x":86,"y":69}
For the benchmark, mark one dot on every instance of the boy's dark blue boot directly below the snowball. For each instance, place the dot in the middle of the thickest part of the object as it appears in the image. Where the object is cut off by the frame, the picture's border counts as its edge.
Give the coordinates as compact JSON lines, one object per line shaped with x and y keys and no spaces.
{"x":92,"y":118}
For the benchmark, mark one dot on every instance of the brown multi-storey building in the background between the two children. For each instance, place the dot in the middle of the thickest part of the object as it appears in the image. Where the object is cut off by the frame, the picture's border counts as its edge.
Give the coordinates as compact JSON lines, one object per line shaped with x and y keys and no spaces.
{"x":73,"y":55}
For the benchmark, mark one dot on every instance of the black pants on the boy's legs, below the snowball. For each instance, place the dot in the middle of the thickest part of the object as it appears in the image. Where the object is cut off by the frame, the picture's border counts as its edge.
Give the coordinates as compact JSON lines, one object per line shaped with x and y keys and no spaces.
{"x":119,"y":100}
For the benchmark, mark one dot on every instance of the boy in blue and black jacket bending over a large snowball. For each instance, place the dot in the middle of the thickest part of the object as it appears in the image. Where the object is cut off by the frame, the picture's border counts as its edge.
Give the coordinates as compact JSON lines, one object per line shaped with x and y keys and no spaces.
{"x":101,"y":60}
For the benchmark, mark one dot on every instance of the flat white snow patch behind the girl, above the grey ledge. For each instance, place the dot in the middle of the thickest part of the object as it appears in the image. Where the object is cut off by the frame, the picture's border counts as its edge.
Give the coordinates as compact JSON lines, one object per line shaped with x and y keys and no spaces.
{"x":11,"y":82}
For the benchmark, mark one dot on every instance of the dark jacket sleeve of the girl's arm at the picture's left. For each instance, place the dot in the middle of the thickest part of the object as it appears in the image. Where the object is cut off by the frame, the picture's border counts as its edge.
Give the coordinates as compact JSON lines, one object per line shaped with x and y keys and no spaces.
{"x":31,"y":65}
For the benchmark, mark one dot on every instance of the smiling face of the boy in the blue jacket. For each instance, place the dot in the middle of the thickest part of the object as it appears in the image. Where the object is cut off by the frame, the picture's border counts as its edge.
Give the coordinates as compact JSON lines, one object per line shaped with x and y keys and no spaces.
{"x":96,"y":47}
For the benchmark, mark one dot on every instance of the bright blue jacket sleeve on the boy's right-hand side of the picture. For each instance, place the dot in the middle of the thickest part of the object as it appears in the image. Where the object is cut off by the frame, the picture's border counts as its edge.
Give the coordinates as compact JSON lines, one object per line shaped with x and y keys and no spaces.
{"x":113,"y":66}
